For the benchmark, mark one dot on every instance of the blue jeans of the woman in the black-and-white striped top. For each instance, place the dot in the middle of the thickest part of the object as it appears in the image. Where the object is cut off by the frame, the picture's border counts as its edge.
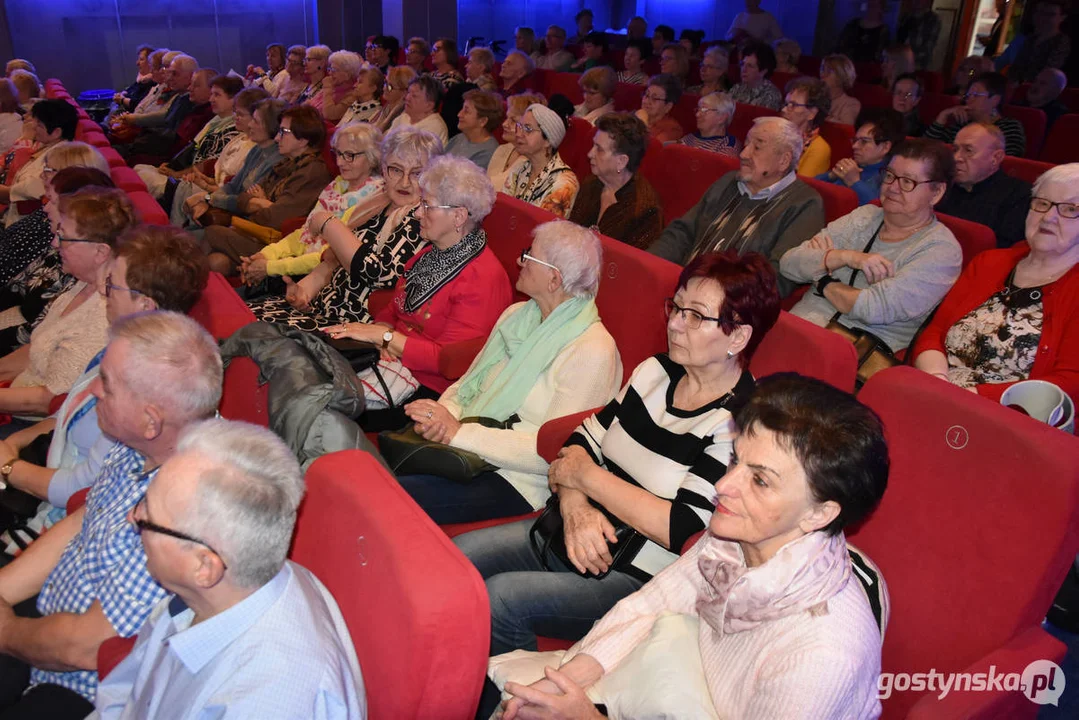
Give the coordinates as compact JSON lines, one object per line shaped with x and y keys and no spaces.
{"x":528,"y":601}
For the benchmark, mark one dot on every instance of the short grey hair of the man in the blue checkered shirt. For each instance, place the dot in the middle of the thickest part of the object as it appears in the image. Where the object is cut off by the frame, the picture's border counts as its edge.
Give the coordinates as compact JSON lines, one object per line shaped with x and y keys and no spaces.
{"x":173,"y":363}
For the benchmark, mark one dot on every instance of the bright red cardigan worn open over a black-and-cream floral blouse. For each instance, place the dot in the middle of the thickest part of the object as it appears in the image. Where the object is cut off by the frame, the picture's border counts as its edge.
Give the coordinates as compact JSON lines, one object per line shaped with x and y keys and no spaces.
{"x":1058,"y":360}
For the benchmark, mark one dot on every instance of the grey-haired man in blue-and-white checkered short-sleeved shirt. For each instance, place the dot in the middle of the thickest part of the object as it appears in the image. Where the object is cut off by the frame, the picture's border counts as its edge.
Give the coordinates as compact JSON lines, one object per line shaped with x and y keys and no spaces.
{"x":161,"y":373}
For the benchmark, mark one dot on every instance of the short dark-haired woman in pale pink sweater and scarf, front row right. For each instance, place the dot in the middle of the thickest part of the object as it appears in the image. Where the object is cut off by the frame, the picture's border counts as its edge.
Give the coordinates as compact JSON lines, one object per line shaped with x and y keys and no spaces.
{"x":767,"y":616}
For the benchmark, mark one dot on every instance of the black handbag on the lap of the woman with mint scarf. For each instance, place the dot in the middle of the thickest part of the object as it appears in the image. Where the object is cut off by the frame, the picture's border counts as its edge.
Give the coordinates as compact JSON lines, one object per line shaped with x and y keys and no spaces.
{"x":407,"y":453}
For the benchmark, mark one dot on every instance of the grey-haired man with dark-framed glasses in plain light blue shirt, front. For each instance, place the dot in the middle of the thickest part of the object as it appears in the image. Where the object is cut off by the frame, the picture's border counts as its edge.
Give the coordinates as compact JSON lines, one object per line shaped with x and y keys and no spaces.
{"x":245,"y":630}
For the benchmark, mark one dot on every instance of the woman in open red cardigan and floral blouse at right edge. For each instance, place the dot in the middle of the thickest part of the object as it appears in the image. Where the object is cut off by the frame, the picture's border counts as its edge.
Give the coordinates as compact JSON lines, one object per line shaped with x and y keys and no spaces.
{"x":1014,"y":315}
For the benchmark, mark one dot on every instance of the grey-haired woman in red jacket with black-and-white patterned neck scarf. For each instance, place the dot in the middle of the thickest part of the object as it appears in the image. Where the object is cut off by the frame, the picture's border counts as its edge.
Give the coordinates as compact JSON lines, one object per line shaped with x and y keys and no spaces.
{"x":455,"y":290}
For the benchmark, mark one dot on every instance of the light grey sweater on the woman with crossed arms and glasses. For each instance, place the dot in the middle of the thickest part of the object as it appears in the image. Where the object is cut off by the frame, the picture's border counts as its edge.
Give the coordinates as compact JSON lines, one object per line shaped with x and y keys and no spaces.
{"x":927,"y":265}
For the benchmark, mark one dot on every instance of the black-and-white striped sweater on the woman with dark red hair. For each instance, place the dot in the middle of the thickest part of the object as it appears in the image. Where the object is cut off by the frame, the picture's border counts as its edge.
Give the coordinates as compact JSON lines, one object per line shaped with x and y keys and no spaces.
{"x":678,"y":455}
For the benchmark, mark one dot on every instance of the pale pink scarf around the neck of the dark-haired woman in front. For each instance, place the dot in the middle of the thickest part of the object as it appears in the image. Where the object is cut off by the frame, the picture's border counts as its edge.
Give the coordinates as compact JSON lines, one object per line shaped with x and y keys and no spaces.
{"x":804,"y":574}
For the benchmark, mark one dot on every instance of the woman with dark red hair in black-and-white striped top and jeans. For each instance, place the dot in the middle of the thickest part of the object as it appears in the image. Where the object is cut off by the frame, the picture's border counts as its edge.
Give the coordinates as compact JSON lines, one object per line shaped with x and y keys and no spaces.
{"x":650,"y":458}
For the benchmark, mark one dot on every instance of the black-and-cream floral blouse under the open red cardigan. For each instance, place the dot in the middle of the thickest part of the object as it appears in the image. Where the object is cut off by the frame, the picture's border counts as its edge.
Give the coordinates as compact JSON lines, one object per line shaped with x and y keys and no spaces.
{"x":999,"y":341}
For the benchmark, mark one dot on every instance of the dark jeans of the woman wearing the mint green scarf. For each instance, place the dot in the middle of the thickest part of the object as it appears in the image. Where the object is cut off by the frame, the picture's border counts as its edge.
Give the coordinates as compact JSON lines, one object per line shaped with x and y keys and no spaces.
{"x":488,"y":497}
